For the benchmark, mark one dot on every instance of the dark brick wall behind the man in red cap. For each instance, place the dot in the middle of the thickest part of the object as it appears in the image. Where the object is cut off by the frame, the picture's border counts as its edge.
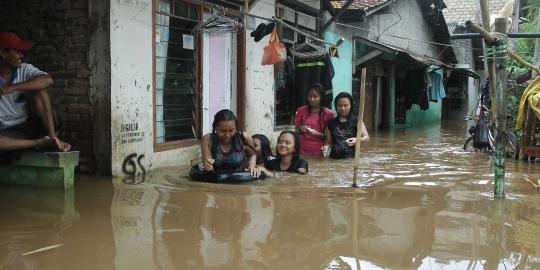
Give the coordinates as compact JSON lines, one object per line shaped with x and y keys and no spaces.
{"x":60,"y":31}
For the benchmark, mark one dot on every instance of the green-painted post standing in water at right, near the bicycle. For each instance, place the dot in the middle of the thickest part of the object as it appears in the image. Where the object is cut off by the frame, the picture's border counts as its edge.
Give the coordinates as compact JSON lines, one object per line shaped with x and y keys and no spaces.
{"x":500,"y":54}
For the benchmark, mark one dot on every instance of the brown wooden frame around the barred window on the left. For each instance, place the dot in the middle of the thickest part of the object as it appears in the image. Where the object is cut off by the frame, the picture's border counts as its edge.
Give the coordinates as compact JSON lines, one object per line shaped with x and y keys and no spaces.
{"x":165,"y":146}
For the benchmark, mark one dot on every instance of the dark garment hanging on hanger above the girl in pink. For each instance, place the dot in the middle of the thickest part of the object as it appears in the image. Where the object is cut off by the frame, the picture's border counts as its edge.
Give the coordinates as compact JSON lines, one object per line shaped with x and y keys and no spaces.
{"x":313,"y":70}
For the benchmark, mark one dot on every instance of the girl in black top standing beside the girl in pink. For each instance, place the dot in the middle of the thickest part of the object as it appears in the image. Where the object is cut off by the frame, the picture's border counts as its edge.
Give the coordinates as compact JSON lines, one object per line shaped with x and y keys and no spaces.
{"x":341,"y":130}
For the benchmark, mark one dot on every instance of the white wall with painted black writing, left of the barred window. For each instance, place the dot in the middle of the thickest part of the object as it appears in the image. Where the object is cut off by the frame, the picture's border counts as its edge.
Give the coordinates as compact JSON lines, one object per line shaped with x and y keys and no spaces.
{"x":132,"y":88}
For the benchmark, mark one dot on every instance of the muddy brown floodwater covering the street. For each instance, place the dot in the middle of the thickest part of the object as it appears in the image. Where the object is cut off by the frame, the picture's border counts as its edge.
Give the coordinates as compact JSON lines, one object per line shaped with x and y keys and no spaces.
{"x":423,"y":203}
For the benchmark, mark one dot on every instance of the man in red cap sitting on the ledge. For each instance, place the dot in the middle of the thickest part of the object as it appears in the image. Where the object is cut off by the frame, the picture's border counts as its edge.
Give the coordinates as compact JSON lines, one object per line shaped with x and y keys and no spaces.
{"x":22,"y":126}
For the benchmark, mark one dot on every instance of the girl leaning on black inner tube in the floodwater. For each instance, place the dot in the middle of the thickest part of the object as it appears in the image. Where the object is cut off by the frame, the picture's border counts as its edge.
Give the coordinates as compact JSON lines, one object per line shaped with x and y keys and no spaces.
{"x":227,"y":148}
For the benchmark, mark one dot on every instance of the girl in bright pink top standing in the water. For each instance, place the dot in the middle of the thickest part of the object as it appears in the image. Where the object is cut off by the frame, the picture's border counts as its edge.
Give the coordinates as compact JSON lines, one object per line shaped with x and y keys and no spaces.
{"x":311,"y":120}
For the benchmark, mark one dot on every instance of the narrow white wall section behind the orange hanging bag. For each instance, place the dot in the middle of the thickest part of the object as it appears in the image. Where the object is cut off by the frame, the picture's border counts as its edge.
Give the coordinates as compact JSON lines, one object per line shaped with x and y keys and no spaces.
{"x":260,"y":90}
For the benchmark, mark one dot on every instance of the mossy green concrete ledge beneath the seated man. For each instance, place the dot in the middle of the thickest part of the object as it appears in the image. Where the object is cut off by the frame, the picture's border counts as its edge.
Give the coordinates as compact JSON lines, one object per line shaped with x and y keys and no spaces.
{"x":43,"y":169}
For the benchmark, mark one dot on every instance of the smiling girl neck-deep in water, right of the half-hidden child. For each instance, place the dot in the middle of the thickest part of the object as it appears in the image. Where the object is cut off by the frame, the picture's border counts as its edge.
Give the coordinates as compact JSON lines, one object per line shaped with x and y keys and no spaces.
{"x":287,"y":155}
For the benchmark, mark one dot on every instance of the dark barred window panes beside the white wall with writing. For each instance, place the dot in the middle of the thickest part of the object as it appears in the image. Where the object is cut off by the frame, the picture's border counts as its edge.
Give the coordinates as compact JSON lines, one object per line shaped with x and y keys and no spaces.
{"x":176,"y":92}
